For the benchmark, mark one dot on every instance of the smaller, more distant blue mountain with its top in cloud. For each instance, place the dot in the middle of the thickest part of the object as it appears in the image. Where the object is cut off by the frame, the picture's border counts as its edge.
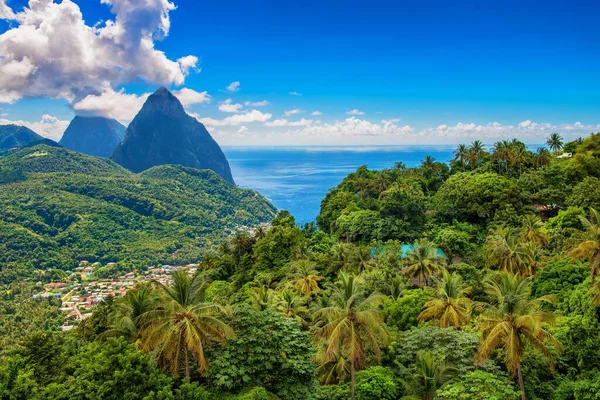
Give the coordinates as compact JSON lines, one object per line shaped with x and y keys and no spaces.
{"x":96,"y":136}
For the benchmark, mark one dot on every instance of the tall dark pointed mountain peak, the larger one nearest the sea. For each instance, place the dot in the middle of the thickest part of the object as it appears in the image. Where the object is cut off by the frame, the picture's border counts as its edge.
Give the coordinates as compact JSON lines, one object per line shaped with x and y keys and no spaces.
{"x":162,"y":133}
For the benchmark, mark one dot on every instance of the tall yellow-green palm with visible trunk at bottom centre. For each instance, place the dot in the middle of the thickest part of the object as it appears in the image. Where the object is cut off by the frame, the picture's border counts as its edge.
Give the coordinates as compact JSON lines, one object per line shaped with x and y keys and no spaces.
{"x":353,"y":325}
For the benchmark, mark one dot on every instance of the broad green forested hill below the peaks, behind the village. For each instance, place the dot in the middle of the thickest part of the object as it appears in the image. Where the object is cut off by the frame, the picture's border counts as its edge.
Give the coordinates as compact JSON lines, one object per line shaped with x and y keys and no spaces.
{"x":60,"y":207}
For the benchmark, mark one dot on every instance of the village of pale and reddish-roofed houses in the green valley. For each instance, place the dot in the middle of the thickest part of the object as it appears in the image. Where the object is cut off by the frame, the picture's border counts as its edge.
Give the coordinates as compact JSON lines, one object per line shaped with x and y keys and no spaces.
{"x":83,"y":288}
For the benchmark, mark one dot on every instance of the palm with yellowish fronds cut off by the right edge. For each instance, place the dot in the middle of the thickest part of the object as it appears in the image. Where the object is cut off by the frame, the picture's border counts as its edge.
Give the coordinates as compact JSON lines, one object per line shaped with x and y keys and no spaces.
{"x":589,"y":249}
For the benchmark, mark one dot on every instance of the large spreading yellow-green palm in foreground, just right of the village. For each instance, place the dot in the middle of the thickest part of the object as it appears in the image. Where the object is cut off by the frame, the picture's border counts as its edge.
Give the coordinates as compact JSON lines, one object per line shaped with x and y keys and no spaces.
{"x":183,"y":326}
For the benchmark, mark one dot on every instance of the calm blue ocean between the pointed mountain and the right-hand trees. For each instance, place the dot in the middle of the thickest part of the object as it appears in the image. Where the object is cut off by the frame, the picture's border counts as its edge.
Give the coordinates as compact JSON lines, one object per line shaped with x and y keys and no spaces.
{"x":297,"y":178}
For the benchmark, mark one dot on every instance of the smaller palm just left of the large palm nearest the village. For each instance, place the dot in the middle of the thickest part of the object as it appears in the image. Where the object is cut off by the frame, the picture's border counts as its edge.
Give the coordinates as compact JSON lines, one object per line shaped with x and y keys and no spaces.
{"x":125,"y":319}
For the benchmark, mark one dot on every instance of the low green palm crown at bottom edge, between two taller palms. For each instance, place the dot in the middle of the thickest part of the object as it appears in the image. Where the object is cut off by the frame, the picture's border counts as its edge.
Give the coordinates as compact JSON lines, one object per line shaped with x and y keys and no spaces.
{"x":428,"y":377}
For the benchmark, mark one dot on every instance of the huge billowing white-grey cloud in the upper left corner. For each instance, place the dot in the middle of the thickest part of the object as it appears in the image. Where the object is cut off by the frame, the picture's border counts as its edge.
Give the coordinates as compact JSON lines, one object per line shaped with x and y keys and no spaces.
{"x":51,"y":52}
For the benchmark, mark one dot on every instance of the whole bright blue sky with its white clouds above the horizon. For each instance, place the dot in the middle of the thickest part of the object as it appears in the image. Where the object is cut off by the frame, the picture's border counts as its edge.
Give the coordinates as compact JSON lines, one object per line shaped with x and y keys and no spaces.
{"x":312,"y":72}
